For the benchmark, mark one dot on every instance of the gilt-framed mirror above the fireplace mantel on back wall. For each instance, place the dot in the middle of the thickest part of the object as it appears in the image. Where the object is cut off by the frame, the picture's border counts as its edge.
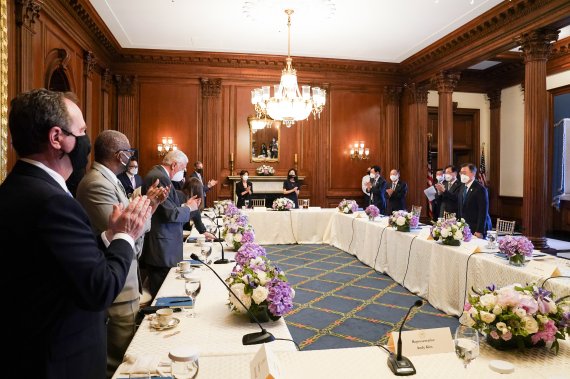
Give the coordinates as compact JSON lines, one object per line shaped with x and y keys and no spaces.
{"x":264,"y":139}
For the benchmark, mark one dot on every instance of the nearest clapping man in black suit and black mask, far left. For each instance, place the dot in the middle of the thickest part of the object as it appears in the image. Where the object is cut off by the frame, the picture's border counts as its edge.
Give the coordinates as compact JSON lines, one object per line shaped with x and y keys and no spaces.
{"x":71,"y":276}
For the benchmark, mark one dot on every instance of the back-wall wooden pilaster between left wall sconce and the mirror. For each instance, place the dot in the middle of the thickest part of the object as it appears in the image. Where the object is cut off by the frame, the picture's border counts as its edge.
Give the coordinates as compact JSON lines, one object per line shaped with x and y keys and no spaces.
{"x":211,"y":133}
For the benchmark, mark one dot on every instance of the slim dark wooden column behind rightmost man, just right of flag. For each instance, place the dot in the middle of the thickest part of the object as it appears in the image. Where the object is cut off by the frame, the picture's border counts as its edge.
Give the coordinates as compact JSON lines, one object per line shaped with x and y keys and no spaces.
{"x":494,"y":151}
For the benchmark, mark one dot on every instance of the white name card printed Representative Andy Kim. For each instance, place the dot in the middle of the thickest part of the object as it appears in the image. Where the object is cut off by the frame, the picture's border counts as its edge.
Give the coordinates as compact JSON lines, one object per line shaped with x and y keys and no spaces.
{"x":423,"y":342}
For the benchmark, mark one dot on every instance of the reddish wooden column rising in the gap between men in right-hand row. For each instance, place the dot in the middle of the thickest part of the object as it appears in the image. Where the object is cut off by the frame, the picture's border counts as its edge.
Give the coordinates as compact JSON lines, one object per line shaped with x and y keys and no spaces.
{"x":413,"y":143}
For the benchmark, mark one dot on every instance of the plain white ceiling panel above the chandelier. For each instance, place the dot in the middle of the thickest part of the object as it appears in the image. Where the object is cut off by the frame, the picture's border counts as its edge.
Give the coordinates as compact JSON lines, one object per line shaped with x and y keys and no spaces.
{"x":372,"y":30}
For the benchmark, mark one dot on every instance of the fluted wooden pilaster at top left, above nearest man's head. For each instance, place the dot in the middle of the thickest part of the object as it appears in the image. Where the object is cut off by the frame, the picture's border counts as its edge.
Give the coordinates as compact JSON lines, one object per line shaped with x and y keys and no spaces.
{"x":27,"y":11}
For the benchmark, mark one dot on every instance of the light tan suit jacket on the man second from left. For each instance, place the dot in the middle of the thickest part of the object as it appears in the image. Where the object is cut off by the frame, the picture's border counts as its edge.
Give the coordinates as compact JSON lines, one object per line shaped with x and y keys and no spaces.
{"x":97,"y":192}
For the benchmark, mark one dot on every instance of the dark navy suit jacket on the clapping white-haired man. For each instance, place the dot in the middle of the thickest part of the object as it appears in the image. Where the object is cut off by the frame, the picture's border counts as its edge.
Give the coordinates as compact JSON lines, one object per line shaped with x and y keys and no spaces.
{"x":163,"y":244}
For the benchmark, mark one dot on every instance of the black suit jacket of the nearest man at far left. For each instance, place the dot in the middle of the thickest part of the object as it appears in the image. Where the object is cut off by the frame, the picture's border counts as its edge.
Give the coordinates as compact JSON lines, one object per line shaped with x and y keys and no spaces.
{"x":73,"y":279}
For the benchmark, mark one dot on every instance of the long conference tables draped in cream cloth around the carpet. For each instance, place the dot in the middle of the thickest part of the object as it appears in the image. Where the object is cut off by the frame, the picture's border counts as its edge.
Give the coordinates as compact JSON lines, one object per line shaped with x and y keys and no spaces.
{"x":426,"y":268}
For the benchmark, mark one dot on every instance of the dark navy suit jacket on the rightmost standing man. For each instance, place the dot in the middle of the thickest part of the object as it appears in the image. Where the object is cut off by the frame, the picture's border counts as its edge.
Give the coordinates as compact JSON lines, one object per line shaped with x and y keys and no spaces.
{"x":474,"y":208}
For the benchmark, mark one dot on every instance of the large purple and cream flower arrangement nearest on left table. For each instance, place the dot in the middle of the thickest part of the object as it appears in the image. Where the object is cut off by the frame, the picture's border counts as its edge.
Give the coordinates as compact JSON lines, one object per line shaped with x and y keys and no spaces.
{"x":261,"y":286}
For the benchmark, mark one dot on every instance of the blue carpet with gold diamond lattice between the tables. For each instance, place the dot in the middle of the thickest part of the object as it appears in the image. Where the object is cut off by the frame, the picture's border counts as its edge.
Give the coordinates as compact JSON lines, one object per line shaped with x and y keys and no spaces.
{"x":340,"y":302}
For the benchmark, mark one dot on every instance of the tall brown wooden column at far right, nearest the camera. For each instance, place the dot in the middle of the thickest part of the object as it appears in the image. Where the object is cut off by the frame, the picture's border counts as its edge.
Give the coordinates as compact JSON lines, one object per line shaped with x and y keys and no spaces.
{"x":536,"y":47}
